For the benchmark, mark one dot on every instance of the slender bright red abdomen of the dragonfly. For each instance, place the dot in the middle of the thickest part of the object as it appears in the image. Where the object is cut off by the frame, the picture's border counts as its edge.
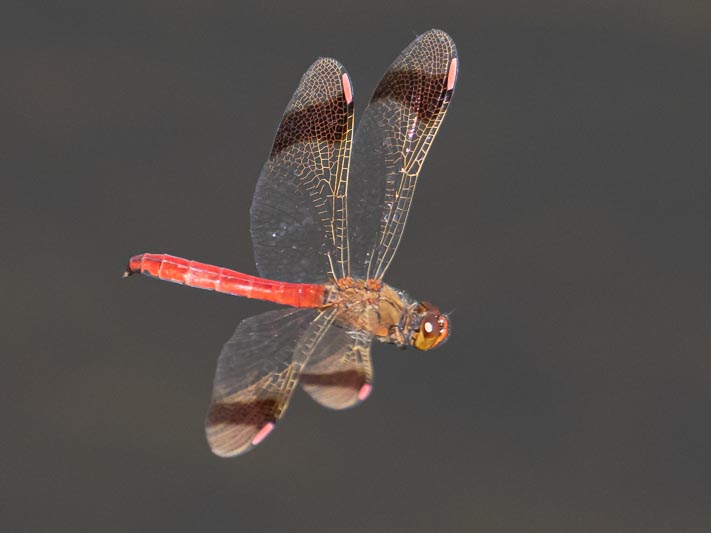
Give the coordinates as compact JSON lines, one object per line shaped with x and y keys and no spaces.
{"x":212,"y":278}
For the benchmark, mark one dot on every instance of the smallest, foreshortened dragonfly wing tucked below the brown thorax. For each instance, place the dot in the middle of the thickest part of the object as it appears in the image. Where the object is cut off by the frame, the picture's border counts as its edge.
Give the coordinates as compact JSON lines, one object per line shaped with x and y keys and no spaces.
{"x":339,"y":373}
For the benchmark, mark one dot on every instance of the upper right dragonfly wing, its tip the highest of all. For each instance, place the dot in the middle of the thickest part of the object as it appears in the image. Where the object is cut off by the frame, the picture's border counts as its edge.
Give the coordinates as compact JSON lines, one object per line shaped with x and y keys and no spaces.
{"x":390,"y":146}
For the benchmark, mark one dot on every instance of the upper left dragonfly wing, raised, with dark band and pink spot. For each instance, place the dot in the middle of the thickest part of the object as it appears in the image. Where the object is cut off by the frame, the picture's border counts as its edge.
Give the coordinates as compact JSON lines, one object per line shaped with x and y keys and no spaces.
{"x":298,"y":215}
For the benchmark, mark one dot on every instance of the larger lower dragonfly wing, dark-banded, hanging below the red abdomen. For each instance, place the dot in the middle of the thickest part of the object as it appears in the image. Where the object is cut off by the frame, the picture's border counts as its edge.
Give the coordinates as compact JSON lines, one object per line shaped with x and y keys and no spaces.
{"x":257,"y":372}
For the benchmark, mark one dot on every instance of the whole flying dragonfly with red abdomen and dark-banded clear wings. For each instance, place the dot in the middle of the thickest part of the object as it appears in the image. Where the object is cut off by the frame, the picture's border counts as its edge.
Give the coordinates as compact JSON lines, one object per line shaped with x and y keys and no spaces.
{"x":326,"y":219}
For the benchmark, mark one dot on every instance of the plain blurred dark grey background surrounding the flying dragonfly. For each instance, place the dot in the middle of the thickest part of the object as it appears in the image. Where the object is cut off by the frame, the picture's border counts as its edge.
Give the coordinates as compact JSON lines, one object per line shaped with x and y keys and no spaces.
{"x":563,"y":214}
